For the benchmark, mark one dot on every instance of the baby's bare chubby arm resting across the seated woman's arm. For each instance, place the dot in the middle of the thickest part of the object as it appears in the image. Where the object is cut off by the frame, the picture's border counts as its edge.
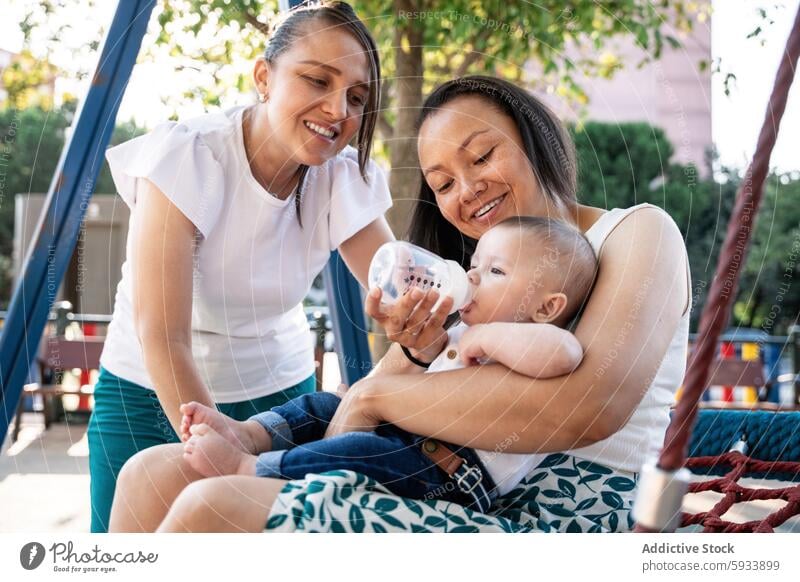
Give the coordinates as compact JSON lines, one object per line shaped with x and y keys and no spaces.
{"x":538,"y":350}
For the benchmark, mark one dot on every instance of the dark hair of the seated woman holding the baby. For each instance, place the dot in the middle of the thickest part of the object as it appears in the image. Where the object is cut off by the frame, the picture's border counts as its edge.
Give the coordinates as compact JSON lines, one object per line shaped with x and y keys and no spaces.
{"x":546,"y":142}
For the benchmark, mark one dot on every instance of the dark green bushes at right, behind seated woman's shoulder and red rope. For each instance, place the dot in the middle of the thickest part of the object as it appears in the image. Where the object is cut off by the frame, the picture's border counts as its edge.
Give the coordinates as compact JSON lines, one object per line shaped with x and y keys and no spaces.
{"x":621,"y":165}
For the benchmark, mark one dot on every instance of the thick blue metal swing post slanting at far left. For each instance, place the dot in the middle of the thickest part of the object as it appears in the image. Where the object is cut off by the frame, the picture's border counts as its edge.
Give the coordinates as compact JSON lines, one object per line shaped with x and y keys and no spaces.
{"x":68,"y":196}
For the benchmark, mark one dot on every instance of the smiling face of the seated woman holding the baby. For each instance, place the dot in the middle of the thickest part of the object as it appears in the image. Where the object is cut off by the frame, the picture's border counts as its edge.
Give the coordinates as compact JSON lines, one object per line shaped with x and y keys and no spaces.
{"x":473,"y":159}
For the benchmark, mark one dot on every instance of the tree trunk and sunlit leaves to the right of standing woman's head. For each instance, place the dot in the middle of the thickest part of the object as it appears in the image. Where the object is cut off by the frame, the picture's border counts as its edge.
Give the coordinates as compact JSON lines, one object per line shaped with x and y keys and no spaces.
{"x":435,"y":41}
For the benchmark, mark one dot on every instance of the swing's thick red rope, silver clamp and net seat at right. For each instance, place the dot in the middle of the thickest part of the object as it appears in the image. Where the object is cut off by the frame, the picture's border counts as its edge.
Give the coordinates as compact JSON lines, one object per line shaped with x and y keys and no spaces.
{"x":663,"y":485}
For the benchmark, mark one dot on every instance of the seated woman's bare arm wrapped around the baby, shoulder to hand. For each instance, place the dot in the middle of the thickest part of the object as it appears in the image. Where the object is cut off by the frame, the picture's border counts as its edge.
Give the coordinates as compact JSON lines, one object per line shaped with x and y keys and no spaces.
{"x":635,"y":308}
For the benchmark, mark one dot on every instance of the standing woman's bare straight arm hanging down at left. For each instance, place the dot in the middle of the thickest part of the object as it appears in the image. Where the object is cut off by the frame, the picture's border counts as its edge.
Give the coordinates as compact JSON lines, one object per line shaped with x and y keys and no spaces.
{"x":162,"y":255}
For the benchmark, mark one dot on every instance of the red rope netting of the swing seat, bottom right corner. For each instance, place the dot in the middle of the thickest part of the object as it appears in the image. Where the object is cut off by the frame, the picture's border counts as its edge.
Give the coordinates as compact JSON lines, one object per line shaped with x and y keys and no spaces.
{"x":734,"y":493}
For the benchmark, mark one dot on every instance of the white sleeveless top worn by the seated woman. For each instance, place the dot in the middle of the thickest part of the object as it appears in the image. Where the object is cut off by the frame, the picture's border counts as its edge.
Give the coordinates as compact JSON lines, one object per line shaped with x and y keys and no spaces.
{"x":642,"y":437}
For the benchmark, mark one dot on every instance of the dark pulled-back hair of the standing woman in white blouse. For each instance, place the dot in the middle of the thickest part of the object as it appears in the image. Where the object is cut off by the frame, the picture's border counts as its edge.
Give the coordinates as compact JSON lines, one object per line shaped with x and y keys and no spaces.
{"x":292,"y":27}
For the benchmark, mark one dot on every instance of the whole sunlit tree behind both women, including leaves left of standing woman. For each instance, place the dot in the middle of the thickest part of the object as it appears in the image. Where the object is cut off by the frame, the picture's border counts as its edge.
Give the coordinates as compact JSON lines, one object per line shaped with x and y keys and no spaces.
{"x":422,"y":43}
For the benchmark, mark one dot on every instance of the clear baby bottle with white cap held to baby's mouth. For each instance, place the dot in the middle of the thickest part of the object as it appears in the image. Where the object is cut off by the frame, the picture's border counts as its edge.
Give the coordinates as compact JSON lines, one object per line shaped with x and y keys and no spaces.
{"x":398,"y":267}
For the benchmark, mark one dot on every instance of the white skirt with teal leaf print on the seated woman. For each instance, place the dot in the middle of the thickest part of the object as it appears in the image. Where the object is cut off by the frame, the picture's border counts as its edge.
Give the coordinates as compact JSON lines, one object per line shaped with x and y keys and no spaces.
{"x":563,"y":494}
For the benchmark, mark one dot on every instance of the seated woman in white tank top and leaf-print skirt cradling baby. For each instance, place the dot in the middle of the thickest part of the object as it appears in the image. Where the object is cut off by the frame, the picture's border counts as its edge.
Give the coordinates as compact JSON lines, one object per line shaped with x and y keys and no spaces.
{"x":488,"y":151}
